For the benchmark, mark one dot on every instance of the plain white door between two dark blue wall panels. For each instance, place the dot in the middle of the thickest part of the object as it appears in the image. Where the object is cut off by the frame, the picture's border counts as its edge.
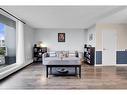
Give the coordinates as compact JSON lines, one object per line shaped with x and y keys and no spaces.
{"x":109,"y":47}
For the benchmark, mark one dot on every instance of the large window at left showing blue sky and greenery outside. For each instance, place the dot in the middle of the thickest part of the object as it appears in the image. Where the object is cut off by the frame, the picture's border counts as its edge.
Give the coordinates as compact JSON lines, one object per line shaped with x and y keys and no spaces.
{"x":7,"y":41}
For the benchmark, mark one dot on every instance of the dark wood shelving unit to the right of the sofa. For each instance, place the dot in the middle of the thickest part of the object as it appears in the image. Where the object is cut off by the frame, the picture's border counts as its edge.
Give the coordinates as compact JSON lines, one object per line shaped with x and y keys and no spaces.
{"x":89,"y":55}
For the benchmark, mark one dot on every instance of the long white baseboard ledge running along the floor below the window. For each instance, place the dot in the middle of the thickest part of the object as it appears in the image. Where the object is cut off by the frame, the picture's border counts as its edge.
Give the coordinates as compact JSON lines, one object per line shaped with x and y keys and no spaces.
{"x":13,"y":68}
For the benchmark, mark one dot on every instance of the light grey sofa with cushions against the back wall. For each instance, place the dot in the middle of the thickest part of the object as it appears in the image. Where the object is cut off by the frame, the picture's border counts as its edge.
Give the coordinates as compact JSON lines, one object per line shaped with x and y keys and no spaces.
{"x":61,"y":55}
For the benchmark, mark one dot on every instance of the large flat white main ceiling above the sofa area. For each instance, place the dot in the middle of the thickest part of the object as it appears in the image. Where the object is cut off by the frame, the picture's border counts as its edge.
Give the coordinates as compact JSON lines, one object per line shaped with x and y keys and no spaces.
{"x":61,"y":16}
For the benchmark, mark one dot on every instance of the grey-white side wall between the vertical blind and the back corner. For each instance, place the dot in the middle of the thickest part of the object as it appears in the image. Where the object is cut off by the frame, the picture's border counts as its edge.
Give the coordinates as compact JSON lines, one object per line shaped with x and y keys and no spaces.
{"x":28,"y":42}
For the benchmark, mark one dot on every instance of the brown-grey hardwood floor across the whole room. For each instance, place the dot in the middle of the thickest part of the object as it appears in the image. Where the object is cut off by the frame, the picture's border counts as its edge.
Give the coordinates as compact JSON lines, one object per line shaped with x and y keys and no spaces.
{"x":33,"y":77}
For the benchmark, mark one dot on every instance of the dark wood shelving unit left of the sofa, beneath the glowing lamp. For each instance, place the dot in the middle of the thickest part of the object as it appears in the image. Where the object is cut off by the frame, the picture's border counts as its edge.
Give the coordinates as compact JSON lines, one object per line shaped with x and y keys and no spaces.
{"x":37,"y":53}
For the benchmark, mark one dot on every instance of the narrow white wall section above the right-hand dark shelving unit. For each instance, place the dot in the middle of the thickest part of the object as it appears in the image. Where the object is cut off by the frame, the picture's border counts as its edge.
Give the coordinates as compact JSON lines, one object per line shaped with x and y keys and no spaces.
{"x":92,"y":31}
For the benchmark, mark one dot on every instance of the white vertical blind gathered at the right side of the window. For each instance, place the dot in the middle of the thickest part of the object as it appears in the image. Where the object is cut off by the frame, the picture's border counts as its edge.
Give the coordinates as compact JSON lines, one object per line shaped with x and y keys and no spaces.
{"x":20,"y":43}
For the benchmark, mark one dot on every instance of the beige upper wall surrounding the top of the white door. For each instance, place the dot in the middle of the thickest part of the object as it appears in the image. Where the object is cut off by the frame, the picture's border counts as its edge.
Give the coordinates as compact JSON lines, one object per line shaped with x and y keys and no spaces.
{"x":121,"y":31}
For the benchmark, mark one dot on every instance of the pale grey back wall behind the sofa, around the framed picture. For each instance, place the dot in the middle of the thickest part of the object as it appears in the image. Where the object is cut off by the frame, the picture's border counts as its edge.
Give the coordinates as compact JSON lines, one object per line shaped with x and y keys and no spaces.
{"x":74,"y":39}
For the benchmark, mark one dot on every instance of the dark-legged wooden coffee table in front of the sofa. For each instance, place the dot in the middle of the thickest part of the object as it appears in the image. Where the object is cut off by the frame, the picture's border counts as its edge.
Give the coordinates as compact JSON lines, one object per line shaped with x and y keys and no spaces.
{"x":64,"y":63}
